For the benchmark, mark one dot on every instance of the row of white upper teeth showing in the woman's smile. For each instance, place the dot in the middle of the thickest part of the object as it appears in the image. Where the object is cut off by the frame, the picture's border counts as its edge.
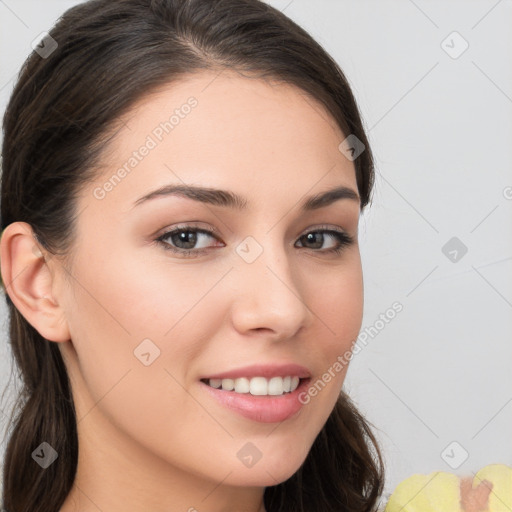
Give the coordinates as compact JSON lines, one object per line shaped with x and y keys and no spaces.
{"x":259,"y":386}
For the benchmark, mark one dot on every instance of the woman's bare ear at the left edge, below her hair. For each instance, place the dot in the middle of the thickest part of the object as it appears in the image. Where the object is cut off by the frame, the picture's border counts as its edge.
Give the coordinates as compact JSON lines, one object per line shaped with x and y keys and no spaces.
{"x":28,"y":280}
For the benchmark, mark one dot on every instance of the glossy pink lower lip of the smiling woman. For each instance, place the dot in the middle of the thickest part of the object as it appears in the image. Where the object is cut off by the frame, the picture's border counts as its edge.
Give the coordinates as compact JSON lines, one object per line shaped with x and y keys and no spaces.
{"x":265,"y":409}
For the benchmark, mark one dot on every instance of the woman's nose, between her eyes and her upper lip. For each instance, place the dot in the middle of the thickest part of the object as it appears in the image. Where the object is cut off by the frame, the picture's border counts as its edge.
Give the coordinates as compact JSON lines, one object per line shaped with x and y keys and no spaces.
{"x":268,"y":297}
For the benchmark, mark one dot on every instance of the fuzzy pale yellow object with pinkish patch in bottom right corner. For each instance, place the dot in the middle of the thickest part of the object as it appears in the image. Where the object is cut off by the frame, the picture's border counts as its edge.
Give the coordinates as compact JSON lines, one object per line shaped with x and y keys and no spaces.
{"x":441,"y":492}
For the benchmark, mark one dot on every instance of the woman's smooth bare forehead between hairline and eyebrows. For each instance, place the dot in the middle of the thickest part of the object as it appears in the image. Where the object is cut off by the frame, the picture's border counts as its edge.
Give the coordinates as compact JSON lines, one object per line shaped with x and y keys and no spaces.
{"x":226,"y":130}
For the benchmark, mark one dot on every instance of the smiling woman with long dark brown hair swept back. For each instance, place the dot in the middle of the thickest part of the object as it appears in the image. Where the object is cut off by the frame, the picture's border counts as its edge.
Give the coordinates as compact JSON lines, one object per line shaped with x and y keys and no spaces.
{"x":182,"y":184}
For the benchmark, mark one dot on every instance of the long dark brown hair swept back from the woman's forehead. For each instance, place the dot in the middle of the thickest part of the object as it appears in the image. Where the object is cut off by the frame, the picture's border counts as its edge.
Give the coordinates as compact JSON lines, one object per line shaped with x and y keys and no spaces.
{"x":110,"y":54}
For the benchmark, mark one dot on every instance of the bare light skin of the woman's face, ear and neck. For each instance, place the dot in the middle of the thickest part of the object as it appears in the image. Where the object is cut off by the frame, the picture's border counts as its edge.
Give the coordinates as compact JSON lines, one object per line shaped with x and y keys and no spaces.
{"x":150,"y":437}
